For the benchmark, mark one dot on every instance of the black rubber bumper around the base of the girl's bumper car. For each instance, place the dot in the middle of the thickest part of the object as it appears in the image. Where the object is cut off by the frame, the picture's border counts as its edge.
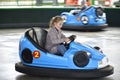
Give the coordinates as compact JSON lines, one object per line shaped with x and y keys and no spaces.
{"x":64,"y":73}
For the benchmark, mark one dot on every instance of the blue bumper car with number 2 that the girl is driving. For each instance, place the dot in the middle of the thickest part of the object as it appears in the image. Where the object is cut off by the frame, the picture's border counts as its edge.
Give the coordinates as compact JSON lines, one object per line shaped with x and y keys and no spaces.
{"x":79,"y":61}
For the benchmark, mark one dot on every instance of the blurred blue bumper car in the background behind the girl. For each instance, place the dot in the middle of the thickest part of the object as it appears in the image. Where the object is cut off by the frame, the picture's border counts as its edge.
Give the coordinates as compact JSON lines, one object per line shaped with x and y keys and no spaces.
{"x":91,"y":18}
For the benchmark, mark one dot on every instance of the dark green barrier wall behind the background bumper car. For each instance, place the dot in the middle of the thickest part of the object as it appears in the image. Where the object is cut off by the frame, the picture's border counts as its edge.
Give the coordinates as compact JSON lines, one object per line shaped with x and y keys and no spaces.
{"x":27,"y":17}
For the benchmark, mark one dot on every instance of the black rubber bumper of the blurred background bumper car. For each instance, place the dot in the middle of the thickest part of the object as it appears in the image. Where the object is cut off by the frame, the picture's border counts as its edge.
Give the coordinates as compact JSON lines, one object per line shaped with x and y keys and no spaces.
{"x":86,"y":27}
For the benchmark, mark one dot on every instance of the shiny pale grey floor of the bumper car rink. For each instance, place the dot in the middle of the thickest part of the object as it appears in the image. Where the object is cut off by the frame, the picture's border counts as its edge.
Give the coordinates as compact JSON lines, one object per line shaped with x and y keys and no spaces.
{"x":108,"y":40}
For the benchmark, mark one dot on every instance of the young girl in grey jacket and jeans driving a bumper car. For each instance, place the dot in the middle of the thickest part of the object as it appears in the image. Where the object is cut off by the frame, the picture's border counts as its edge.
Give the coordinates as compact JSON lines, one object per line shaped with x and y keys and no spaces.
{"x":55,"y":37}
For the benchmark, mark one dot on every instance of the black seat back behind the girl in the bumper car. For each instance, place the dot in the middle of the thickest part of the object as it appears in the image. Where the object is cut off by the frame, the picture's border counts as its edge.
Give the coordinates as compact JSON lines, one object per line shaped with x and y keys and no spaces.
{"x":37,"y":36}
